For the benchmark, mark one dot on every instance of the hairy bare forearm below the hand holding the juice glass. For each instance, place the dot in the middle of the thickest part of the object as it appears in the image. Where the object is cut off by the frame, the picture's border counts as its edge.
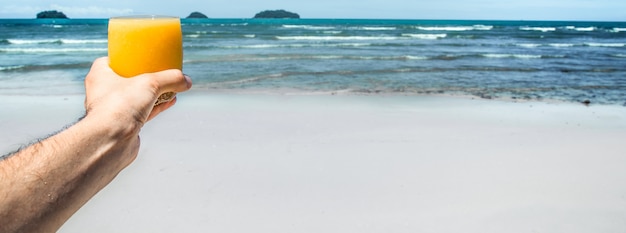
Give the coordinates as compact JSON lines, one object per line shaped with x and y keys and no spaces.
{"x":43,"y":185}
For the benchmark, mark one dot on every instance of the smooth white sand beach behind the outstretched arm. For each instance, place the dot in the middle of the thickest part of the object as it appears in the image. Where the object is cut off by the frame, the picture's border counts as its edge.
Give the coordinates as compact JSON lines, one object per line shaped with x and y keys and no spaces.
{"x":293,"y":163}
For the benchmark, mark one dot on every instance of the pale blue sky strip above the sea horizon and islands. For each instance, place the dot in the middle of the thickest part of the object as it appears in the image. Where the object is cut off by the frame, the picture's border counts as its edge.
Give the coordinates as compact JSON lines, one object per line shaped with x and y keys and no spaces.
{"x":580,"y":10}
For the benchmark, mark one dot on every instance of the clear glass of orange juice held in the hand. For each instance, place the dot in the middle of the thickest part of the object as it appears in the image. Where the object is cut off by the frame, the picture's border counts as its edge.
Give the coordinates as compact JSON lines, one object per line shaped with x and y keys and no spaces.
{"x":145,"y":44}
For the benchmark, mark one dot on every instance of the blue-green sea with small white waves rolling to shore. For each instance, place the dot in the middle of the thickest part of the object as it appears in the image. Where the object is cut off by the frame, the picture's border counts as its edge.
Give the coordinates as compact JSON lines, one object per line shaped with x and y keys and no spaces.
{"x":514,"y":60}
